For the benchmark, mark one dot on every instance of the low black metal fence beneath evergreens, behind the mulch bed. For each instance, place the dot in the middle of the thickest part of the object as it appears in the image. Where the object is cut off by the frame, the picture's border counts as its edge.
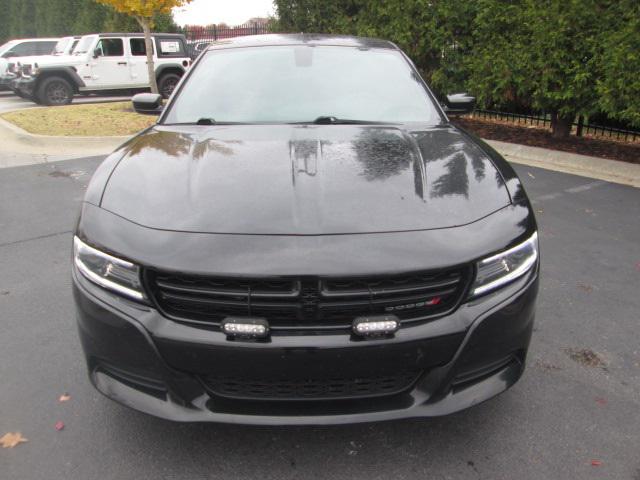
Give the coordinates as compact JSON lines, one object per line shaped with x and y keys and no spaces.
{"x":580,"y":128}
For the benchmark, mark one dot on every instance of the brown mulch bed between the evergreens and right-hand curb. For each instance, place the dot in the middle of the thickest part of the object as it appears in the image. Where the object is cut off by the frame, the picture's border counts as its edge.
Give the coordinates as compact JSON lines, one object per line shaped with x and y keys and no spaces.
{"x":540,"y":137}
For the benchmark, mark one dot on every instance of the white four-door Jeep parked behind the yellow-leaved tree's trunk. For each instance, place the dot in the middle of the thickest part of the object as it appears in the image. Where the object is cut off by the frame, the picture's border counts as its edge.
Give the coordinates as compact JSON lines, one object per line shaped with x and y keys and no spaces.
{"x":105,"y":63}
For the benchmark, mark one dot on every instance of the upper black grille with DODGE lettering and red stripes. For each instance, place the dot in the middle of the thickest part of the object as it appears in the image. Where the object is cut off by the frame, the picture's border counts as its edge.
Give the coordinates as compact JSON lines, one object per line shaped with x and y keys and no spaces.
{"x":305,"y":304}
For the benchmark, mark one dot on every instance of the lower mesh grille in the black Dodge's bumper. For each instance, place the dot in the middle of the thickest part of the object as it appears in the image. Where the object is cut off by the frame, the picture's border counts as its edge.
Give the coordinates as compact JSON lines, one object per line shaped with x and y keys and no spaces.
{"x":310,"y":389}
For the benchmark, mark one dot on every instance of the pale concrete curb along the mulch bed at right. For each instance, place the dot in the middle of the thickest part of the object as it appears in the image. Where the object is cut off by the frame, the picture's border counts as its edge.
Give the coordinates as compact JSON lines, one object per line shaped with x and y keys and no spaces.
{"x":583,"y":165}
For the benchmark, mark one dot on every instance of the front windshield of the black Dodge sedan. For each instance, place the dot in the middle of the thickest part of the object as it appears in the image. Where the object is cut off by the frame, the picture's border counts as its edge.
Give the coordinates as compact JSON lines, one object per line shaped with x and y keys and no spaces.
{"x":298,"y":84}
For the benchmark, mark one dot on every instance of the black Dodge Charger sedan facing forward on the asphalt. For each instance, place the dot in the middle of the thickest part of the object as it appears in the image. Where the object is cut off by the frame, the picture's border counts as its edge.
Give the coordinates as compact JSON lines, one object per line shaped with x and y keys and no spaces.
{"x":304,"y":238}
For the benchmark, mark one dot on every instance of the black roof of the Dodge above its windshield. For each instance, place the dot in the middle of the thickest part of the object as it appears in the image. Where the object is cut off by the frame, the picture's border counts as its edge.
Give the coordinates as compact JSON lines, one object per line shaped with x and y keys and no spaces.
{"x":310,"y":39}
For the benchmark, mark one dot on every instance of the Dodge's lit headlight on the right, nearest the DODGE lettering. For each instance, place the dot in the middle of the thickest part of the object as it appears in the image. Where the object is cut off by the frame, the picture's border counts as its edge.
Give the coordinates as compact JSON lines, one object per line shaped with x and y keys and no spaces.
{"x":500,"y":269}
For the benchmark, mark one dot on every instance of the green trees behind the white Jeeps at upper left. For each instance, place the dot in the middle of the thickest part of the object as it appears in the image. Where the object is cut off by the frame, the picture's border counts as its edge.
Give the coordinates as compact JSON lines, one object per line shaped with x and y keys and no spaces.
{"x":55,"y":18}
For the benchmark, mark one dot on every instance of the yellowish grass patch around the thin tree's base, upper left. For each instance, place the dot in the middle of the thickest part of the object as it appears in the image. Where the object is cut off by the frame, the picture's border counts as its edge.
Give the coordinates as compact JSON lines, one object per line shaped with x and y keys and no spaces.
{"x":92,"y":120}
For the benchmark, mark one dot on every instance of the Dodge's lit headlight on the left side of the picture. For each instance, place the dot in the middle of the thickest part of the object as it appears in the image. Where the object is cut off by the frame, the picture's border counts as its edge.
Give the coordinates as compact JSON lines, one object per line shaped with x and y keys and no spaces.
{"x":109,"y":272}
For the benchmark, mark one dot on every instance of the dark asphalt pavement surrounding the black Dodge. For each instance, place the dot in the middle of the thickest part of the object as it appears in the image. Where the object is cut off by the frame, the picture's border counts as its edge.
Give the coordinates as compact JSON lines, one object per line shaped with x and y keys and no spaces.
{"x":574,"y":415}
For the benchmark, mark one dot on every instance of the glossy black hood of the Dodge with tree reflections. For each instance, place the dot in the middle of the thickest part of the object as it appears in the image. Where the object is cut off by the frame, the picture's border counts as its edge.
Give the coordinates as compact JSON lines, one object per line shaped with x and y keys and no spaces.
{"x":303,"y":180}
